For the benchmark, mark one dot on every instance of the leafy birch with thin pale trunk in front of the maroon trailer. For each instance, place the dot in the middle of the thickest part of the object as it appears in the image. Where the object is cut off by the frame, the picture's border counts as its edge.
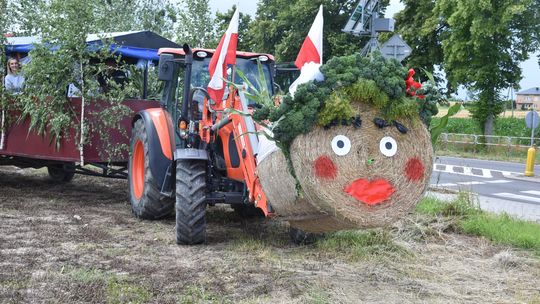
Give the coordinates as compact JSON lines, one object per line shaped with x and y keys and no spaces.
{"x":63,"y":59}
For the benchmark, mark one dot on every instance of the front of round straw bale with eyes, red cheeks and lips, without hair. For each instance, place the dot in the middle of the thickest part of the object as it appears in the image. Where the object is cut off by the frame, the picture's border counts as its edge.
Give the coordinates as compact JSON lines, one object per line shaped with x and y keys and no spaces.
{"x":370,"y":175}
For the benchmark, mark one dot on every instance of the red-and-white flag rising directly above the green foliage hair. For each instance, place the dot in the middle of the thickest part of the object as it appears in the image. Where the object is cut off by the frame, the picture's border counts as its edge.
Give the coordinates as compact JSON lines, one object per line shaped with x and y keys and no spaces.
{"x":309,"y":59}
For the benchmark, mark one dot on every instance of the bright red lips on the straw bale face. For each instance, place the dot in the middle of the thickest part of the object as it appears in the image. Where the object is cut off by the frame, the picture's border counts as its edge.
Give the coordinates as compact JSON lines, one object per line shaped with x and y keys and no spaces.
{"x":370,"y":193}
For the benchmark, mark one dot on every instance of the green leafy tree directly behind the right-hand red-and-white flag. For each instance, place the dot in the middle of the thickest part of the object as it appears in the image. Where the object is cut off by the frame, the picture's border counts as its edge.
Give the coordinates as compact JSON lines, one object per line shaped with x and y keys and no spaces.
{"x":281,"y":26}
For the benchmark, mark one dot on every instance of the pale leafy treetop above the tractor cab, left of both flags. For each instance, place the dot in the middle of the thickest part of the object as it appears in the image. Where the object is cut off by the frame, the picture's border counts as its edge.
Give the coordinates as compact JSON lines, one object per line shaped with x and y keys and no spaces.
{"x":196,"y":25}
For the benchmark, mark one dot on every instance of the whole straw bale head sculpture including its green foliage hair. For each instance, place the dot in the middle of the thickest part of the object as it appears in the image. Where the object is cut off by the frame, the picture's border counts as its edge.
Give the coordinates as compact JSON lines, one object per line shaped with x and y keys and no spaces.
{"x":366,"y":159}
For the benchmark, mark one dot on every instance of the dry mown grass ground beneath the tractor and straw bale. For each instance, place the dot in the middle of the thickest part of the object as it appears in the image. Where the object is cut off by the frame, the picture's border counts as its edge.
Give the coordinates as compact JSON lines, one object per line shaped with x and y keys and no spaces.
{"x":79,"y":243}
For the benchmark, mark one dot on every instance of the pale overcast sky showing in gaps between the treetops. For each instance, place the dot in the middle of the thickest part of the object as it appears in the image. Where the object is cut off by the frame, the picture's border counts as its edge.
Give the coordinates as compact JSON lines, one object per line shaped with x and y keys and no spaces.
{"x":531,"y":70}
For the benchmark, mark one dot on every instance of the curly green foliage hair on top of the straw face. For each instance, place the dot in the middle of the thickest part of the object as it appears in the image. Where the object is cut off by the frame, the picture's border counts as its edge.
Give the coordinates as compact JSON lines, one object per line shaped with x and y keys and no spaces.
{"x":373,"y":80}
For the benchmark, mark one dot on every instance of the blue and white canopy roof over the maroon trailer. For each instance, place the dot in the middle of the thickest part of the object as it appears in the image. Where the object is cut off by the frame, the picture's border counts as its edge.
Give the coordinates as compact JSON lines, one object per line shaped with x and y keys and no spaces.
{"x":140,"y":45}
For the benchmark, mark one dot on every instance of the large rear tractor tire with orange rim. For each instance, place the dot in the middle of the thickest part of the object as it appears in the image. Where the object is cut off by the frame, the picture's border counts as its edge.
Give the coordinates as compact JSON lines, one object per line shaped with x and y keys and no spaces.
{"x":144,"y":194}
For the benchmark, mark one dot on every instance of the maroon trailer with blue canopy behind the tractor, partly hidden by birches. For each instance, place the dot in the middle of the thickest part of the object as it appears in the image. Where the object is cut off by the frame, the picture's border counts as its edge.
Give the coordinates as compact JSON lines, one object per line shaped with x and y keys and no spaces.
{"x":24,"y":148}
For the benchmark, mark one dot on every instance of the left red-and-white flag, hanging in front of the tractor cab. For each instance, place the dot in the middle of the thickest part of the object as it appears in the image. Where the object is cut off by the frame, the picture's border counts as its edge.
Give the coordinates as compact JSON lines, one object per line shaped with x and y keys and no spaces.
{"x":225,"y":54}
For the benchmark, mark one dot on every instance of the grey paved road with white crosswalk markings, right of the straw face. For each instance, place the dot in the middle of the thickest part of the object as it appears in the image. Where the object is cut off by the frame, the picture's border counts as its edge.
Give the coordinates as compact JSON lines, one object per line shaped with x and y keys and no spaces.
{"x":497,"y":183}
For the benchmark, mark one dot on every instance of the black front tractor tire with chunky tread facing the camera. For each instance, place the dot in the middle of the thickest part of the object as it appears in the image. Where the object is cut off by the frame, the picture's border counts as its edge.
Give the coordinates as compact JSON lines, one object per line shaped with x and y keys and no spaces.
{"x":190,"y":202}
